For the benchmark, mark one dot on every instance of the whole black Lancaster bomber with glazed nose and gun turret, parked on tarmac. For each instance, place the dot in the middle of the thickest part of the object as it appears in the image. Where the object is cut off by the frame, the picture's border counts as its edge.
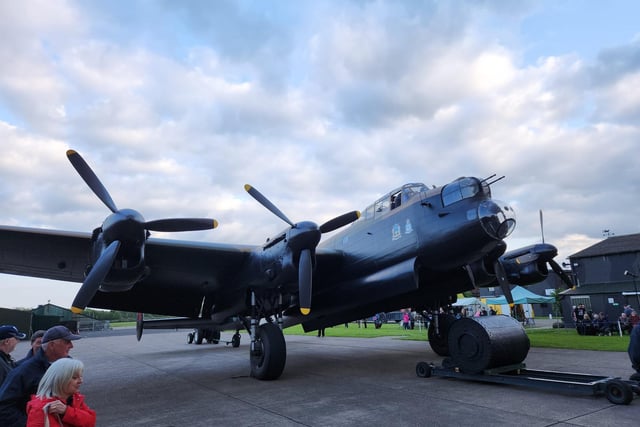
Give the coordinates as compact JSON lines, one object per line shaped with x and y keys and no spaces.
{"x":414,"y":247}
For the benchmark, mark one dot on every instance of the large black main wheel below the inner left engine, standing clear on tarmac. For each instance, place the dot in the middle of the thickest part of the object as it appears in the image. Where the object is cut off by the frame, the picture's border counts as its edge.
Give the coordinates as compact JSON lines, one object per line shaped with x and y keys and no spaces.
{"x":270,"y":353}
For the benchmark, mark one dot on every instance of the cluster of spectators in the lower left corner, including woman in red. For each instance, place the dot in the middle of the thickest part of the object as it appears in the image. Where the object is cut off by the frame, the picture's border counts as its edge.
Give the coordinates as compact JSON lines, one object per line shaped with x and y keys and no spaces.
{"x":42,"y":389}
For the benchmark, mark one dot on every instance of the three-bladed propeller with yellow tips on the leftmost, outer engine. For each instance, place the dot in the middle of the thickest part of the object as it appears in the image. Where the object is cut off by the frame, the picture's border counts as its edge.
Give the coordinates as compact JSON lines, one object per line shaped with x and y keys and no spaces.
{"x":121,"y":228}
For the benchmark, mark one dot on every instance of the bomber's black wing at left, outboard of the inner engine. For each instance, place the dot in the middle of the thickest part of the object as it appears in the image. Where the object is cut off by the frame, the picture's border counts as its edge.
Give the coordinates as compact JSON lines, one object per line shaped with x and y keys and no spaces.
{"x":181,"y":273}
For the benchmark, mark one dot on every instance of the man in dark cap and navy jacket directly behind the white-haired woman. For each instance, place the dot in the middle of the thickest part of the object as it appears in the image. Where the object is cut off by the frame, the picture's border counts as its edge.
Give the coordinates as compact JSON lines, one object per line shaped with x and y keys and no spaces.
{"x":23,"y":381}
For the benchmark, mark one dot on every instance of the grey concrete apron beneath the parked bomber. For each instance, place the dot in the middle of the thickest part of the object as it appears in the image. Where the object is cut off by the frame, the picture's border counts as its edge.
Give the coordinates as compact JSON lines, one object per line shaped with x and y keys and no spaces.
{"x":163,"y":381}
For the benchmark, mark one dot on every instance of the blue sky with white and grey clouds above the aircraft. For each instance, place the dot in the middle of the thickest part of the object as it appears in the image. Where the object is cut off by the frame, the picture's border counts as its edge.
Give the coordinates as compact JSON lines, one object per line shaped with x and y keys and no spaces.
{"x":323,"y":106}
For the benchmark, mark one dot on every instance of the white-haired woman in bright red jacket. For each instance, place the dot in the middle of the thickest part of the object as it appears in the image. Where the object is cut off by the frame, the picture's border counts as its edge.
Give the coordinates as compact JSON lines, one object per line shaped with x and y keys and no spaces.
{"x":57,"y":402}
